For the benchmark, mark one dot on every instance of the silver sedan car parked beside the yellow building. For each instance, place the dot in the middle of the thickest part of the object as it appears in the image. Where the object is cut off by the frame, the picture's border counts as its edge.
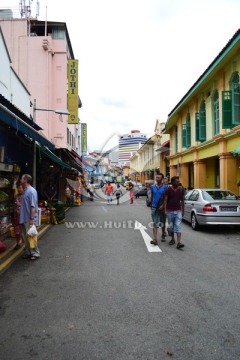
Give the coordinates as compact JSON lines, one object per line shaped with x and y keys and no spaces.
{"x":211,"y":207}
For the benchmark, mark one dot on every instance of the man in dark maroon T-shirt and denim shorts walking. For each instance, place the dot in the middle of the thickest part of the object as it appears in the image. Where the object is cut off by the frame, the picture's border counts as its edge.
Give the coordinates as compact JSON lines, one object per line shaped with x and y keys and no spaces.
{"x":174,"y":208}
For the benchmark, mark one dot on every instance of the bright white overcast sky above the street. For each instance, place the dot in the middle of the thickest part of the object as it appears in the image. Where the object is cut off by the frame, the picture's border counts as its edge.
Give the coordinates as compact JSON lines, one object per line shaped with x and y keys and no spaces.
{"x":138,"y":58}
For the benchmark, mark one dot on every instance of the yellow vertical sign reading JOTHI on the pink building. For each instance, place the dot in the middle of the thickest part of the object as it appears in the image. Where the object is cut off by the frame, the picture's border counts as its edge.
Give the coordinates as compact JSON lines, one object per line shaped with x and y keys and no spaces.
{"x":73,"y":91}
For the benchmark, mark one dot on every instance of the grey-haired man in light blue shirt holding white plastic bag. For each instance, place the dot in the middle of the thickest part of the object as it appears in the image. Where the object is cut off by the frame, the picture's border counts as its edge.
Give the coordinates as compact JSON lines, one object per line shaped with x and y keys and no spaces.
{"x":29,"y":215}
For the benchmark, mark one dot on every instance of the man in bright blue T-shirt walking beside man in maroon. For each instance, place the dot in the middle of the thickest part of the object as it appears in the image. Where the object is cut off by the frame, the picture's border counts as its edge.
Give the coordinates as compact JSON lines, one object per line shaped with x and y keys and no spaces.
{"x":157,"y":208}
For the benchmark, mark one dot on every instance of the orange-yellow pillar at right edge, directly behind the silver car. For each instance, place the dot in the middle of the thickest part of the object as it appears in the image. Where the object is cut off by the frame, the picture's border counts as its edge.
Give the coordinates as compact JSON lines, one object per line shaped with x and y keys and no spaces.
{"x":228,"y":172}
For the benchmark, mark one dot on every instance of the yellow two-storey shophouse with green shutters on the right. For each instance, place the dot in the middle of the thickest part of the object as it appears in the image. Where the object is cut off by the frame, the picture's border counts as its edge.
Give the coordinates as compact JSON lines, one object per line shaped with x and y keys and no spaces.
{"x":204,"y":126}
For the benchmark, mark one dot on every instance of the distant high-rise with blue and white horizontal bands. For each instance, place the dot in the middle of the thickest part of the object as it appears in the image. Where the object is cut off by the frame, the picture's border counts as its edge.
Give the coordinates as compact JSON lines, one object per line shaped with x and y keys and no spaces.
{"x":129,"y":145}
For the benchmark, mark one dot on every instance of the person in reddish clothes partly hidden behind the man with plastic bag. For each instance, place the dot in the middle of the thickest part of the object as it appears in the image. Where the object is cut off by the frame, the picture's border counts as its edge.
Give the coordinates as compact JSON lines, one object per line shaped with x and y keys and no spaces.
{"x":16,"y":216}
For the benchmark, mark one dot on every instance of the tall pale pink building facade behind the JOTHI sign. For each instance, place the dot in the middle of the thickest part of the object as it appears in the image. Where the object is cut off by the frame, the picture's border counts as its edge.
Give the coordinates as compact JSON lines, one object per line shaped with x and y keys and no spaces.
{"x":39,"y":55}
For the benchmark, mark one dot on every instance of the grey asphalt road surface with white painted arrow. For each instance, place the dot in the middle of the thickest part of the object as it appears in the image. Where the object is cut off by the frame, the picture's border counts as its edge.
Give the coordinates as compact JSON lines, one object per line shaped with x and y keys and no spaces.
{"x":99,"y":292}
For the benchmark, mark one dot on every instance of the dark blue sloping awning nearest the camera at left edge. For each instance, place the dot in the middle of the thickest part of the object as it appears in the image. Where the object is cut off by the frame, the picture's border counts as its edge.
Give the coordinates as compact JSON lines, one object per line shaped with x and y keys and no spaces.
{"x":13,"y":120}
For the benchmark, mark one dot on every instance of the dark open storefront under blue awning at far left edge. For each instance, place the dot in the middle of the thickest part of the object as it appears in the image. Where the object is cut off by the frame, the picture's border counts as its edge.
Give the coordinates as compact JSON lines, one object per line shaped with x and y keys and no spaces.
{"x":17,"y":134}
